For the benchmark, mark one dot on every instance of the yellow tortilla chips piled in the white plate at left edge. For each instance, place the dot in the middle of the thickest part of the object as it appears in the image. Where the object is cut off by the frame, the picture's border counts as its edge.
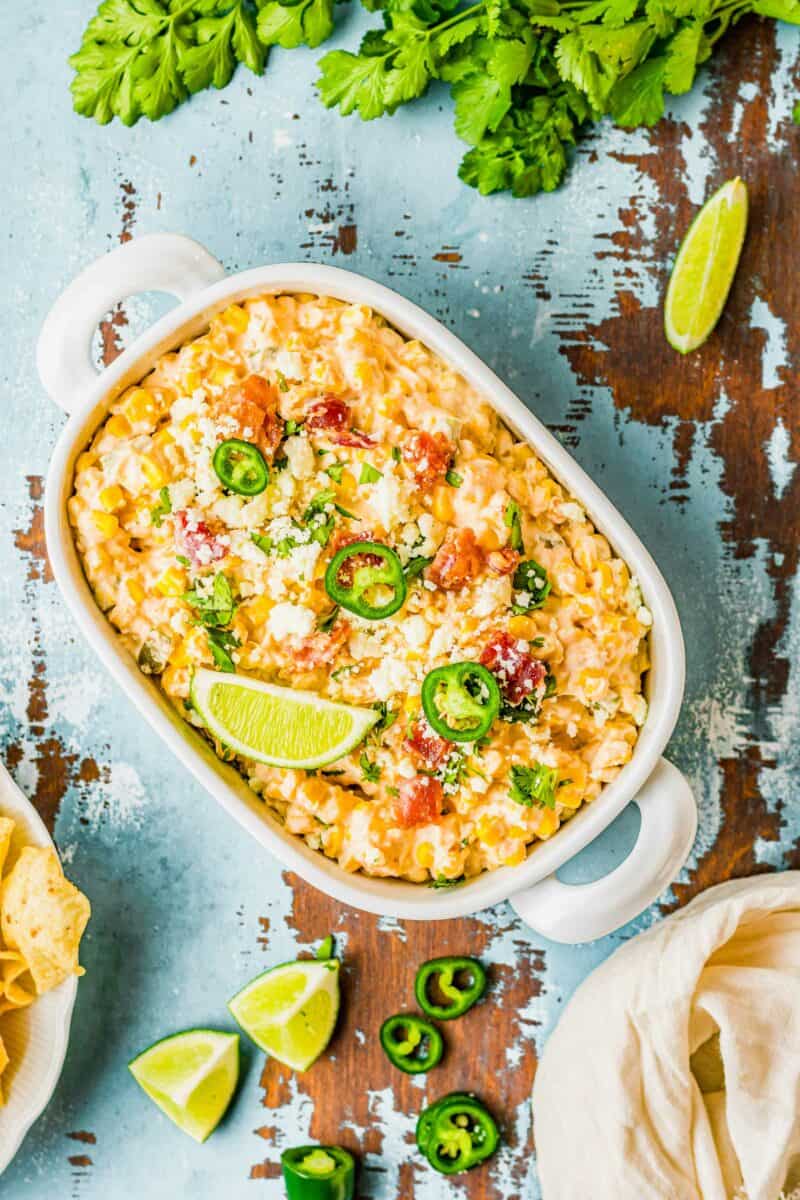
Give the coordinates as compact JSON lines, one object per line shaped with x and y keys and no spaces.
{"x":43,"y":919}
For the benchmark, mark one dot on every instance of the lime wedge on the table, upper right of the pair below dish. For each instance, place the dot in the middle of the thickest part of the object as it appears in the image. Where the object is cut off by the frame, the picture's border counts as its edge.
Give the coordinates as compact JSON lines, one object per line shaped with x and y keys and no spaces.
{"x":291,"y":1011}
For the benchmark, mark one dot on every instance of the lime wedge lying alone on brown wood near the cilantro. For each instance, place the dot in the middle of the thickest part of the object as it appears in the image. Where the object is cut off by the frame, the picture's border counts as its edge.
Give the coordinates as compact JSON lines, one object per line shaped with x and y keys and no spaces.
{"x":706,"y":267}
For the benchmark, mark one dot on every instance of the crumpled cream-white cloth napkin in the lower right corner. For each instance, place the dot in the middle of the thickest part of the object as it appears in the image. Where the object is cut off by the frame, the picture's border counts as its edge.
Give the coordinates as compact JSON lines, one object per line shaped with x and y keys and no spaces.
{"x":675,"y":1072}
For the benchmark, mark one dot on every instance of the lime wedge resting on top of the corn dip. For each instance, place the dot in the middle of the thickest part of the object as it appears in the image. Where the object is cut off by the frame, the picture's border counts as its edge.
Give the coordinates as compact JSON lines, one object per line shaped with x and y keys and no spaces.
{"x":281,"y":727}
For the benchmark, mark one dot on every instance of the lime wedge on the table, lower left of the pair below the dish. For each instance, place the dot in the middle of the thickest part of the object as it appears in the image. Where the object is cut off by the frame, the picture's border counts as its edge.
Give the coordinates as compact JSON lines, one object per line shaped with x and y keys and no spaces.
{"x":191,"y":1077}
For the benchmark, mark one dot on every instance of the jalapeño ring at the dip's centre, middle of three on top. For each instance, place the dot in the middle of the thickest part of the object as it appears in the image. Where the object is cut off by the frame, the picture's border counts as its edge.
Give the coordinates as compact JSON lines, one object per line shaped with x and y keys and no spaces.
{"x":366,"y":578}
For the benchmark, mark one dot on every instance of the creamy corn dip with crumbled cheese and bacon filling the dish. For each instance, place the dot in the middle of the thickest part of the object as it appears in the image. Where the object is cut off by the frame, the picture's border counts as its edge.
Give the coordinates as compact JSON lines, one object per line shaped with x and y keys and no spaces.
{"x":369,"y":435}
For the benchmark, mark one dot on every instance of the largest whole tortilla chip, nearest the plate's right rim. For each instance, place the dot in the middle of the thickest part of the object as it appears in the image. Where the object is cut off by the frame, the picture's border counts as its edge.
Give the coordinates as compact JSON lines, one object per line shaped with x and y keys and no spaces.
{"x":44,"y":917}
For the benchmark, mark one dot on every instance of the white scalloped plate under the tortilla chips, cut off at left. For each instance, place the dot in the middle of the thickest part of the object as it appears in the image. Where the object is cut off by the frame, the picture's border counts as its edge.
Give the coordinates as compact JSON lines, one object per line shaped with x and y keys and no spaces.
{"x":35,"y":1037}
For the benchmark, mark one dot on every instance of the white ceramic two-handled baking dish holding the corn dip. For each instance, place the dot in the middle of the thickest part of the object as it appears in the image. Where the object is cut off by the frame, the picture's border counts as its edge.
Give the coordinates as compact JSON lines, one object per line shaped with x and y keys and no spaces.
{"x":181,"y":267}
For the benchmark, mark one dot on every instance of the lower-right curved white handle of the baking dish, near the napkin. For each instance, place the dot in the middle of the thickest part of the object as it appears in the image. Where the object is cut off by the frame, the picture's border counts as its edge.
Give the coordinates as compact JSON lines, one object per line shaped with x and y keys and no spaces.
{"x":581,"y":913}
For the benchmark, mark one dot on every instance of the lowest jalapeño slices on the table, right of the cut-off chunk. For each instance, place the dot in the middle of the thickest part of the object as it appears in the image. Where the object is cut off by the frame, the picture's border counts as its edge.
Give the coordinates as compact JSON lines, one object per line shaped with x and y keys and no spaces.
{"x":458,"y":1133}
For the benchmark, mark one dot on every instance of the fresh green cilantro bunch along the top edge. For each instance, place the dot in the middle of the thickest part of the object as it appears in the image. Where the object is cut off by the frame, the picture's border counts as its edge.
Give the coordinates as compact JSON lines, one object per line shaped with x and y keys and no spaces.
{"x":526,"y":76}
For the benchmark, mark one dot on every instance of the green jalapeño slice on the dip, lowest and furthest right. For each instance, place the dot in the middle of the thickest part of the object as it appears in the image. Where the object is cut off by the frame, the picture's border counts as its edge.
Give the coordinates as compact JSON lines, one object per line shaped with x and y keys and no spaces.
{"x":461,"y":701}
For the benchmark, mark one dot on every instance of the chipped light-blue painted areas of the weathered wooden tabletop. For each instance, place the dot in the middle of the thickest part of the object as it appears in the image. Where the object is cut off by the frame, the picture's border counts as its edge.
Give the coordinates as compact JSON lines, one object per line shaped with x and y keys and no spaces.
{"x":262,"y":173}
